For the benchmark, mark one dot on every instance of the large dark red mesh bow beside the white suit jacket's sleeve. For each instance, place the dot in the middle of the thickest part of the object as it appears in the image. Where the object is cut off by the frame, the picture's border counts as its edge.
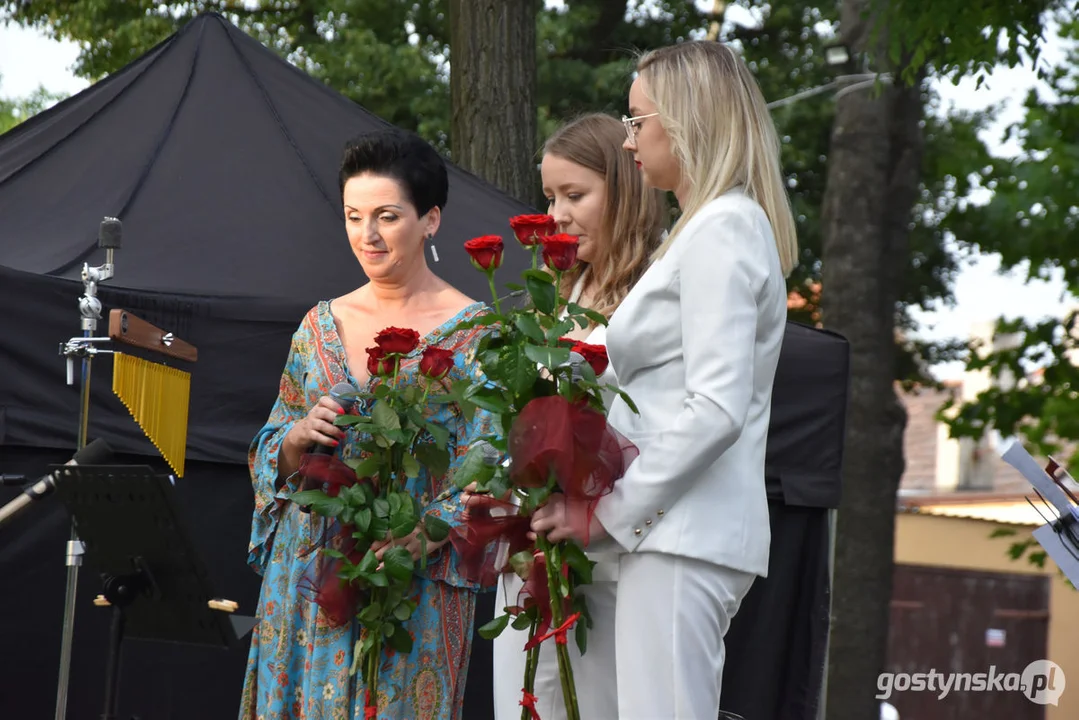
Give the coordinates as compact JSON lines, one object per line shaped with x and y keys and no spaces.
{"x":573,"y":443}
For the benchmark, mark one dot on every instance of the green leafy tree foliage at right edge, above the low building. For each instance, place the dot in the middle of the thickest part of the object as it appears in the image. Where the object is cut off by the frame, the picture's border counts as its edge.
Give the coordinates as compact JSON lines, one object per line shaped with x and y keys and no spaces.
{"x":1033,"y":222}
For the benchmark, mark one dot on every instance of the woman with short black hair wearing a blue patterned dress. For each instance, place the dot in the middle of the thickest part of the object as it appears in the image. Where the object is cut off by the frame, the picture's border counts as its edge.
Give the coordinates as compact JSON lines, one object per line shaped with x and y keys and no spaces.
{"x":394,"y":187}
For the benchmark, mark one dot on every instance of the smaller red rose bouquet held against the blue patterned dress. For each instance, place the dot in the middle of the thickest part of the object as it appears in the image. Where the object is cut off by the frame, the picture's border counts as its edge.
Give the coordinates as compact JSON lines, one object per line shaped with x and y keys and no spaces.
{"x":367,"y":499}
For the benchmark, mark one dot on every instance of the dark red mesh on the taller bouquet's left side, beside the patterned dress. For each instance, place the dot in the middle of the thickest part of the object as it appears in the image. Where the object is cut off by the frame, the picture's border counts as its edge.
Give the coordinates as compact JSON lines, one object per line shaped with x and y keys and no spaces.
{"x":490,"y":526}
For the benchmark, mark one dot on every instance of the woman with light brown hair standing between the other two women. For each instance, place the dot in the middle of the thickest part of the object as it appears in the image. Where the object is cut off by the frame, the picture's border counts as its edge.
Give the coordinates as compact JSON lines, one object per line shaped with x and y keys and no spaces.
{"x":594,"y":193}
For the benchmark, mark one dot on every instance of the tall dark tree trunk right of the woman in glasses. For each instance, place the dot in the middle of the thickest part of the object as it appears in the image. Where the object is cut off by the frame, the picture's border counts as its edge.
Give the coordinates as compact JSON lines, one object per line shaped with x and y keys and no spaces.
{"x":873,"y":175}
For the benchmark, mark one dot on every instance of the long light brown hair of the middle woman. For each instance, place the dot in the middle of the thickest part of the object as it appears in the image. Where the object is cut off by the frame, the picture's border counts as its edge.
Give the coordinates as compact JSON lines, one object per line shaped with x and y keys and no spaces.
{"x":634,"y":218}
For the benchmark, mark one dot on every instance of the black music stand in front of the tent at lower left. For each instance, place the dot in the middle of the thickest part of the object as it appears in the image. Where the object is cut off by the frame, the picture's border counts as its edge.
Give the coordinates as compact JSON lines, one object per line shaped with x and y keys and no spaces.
{"x":154,"y":579}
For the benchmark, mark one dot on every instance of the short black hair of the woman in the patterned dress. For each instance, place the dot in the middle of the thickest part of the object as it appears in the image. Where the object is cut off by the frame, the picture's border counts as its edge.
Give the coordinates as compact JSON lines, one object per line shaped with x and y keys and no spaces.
{"x":403,"y":156}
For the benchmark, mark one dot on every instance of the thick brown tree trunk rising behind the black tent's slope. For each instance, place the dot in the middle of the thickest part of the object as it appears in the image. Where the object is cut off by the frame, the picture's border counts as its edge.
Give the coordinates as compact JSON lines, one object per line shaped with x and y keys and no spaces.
{"x":493,"y":92}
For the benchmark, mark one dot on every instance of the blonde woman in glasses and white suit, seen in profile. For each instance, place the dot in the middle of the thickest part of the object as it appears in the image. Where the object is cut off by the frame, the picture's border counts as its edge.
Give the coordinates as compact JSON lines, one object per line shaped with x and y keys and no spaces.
{"x":695,"y":345}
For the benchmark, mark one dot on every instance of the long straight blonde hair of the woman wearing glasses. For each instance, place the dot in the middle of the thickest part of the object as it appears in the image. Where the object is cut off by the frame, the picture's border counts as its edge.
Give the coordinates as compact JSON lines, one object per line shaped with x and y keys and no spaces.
{"x":721,"y":133}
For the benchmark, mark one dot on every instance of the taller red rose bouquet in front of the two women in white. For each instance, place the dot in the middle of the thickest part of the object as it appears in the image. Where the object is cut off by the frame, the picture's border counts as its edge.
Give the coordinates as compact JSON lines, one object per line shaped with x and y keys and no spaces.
{"x":552,"y":437}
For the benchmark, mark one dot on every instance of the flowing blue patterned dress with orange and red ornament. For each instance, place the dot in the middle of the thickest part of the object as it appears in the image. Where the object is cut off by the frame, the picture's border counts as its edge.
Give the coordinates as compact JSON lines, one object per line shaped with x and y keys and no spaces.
{"x":298,"y":667}
